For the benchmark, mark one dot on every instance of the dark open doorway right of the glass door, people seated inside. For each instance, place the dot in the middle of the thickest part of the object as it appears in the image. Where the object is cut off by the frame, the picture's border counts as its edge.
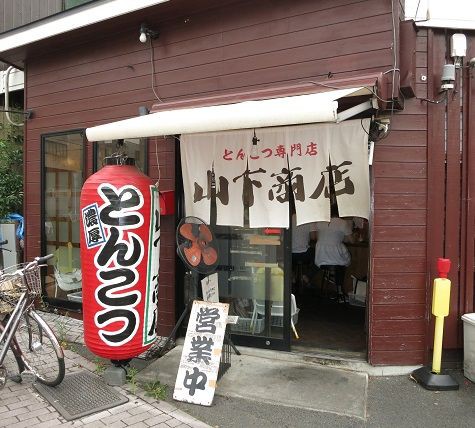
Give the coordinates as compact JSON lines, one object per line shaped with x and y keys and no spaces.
{"x":331,"y":299}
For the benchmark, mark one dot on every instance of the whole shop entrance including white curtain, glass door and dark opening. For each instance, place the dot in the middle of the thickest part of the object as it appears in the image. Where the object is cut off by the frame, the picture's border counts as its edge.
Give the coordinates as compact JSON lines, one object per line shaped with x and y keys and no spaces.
{"x":242,"y":183}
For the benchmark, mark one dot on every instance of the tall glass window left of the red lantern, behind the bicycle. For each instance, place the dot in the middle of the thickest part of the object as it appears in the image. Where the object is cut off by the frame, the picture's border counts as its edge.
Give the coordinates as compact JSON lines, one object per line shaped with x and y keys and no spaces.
{"x":63,"y":176}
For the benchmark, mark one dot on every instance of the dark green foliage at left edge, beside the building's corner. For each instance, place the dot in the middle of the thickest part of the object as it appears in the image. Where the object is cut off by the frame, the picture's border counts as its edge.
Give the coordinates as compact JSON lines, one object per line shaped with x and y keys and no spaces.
{"x":11,"y":170}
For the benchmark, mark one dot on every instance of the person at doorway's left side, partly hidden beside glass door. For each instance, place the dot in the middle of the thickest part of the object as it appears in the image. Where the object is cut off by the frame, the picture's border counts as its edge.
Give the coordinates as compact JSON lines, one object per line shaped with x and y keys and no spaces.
{"x":302,"y":252}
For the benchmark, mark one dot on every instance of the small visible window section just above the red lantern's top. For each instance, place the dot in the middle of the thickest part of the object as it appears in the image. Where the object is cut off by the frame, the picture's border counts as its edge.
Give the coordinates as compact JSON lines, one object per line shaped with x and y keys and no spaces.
{"x":133,"y":147}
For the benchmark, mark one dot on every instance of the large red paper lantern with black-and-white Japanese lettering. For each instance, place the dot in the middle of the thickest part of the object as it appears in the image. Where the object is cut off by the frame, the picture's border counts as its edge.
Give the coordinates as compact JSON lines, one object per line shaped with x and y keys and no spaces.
{"x":120,"y":236}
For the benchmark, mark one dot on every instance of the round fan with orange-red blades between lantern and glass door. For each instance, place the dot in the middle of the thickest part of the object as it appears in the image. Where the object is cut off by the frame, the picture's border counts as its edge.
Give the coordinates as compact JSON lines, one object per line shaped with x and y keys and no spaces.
{"x":196,"y":245}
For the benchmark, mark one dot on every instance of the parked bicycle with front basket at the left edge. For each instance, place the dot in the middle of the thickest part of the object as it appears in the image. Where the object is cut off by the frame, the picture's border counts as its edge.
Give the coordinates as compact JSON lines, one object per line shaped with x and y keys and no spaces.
{"x":23,"y":332}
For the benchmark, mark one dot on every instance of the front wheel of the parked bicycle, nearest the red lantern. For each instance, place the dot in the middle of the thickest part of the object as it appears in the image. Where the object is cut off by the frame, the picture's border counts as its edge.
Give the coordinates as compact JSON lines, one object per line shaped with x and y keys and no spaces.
{"x":41,"y":350}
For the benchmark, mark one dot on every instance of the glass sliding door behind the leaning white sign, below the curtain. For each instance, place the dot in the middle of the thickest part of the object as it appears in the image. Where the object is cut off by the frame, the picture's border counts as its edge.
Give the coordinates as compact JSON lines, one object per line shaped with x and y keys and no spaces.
{"x":253,"y":279}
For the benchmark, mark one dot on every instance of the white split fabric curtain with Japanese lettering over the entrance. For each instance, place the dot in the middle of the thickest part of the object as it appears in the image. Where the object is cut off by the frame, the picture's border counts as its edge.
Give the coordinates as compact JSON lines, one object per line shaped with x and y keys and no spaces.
{"x":306,"y":153}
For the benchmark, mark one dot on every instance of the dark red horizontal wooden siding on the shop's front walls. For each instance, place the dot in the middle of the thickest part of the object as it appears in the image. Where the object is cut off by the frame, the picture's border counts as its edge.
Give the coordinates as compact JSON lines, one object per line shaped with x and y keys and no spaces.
{"x":100,"y":76}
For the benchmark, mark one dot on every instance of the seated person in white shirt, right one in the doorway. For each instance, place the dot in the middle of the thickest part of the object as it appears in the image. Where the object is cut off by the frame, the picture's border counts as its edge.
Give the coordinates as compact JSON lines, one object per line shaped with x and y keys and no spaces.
{"x":330,"y":251}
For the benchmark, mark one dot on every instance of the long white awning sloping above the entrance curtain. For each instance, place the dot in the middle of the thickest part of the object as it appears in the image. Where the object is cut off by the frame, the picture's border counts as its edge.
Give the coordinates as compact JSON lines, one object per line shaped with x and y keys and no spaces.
{"x":293,"y":110}
